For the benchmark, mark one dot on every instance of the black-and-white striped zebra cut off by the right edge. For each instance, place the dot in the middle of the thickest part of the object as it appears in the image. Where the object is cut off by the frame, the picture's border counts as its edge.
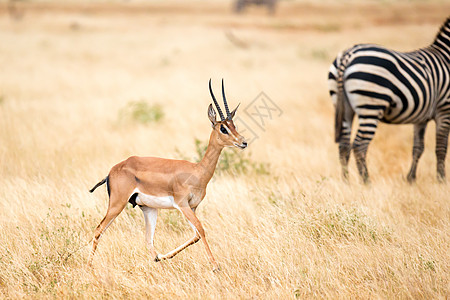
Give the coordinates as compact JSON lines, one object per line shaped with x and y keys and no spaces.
{"x":379,"y":84}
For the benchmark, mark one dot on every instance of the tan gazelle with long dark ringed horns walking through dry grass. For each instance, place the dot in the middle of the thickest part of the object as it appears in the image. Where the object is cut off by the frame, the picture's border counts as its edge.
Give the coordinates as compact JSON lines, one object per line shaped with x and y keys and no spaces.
{"x":157,"y":183}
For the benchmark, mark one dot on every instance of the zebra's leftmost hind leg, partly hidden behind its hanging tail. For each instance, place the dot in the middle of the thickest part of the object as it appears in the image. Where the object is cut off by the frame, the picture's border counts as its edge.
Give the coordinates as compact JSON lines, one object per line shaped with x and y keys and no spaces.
{"x":344,"y":143}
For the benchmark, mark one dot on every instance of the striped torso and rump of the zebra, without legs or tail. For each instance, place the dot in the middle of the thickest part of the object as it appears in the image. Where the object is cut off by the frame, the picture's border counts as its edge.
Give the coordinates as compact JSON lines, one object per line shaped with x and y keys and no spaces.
{"x":397,"y":87}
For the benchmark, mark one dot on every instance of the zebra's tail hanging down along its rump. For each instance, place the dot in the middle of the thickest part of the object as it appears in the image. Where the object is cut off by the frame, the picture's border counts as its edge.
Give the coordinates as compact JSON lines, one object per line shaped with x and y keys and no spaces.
{"x":340,"y":105}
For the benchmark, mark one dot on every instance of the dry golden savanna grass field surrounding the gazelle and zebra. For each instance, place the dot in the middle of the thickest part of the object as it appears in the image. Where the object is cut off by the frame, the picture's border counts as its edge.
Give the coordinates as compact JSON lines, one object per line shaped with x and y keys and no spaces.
{"x":86,"y":84}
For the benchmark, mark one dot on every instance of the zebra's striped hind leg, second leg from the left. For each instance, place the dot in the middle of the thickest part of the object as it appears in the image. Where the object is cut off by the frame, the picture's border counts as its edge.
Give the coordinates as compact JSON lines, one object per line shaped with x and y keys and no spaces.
{"x":366,"y":131}
